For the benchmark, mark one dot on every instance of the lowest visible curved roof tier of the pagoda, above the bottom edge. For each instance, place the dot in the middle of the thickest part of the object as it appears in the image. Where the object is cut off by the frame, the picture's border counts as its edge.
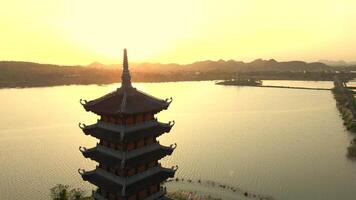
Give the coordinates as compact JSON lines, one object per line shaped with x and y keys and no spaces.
{"x":127,"y":186}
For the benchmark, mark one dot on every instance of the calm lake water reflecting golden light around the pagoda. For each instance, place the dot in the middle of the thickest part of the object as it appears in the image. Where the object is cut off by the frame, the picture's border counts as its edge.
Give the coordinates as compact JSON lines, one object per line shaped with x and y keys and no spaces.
{"x":286,"y":143}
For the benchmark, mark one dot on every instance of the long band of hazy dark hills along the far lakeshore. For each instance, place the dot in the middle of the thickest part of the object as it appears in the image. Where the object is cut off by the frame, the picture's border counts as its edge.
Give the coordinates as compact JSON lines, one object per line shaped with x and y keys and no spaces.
{"x":28,"y":74}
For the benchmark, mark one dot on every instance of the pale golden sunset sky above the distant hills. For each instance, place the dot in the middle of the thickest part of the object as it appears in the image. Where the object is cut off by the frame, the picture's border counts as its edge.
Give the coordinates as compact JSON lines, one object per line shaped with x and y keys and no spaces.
{"x":179,"y":31}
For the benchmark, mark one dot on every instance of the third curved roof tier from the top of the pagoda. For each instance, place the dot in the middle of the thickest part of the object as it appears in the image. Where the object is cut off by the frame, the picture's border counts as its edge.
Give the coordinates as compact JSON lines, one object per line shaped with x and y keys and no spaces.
{"x":127,"y":159}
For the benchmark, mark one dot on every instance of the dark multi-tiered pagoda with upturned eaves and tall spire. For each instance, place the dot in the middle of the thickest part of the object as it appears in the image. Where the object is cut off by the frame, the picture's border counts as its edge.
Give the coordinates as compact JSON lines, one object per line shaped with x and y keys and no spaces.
{"x":128,"y":151}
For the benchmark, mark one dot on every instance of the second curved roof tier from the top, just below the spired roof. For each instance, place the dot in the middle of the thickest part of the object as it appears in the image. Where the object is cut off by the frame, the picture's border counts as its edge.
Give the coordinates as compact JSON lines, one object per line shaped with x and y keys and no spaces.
{"x":126,"y":133}
